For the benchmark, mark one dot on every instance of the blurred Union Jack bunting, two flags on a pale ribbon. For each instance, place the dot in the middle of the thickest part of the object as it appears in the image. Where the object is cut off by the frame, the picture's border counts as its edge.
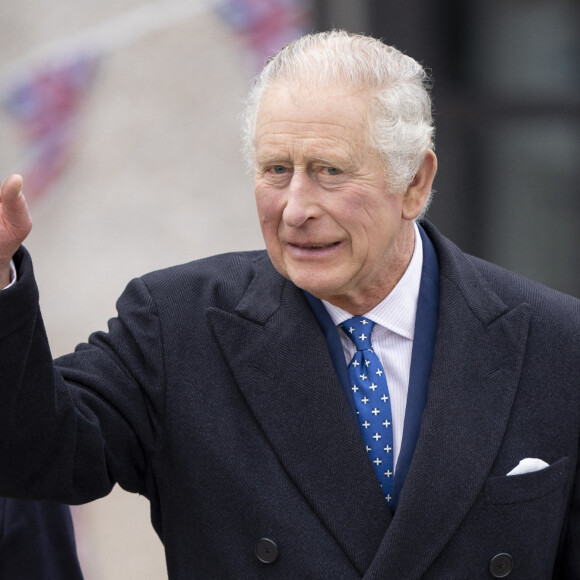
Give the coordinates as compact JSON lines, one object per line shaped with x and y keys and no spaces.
{"x":46,"y":101}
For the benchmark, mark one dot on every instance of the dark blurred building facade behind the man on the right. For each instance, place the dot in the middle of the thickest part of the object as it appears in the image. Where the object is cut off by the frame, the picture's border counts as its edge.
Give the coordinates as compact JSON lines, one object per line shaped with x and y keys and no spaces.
{"x":507,"y":104}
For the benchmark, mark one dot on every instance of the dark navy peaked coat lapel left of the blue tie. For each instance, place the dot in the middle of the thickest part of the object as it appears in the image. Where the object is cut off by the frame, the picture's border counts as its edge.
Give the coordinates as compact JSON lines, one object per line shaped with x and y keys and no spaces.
{"x":281,"y":364}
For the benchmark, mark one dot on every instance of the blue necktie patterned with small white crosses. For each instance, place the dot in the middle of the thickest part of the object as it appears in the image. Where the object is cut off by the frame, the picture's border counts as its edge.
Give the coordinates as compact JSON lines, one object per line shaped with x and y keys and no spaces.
{"x":371,"y":397}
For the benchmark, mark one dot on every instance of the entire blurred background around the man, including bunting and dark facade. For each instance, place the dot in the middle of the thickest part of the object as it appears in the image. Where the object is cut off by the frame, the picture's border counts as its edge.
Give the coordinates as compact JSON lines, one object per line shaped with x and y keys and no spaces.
{"x":123,"y":117}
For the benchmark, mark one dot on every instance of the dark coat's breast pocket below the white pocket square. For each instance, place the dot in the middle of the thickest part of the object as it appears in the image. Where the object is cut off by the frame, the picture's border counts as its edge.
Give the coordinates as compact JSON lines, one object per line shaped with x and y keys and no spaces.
{"x":509,"y":489}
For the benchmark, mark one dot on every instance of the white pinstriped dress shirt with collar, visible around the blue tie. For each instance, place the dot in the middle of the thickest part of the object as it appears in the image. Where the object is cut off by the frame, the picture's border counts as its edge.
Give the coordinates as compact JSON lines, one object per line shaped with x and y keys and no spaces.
{"x":392,"y":337}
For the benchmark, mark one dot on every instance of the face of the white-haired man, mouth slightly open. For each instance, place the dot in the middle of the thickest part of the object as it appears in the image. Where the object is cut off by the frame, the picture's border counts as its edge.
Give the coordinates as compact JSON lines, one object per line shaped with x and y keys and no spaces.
{"x":328,"y":221}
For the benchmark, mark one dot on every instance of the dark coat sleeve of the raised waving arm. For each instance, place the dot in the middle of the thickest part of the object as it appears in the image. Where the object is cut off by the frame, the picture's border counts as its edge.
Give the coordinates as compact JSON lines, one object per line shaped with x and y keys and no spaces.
{"x":71,"y":429}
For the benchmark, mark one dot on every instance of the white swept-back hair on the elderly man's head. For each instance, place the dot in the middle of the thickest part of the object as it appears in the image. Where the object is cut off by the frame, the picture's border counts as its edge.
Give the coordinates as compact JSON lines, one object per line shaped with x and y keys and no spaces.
{"x":399,"y":118}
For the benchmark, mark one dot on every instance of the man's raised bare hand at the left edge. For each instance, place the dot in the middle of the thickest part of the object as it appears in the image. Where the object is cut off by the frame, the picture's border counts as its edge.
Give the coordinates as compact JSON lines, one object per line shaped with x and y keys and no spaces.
{"x":15,"y":223}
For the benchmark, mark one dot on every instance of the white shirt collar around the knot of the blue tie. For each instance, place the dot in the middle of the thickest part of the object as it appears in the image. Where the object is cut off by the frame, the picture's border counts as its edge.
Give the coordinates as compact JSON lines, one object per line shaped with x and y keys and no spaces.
{"x":398,"y":310}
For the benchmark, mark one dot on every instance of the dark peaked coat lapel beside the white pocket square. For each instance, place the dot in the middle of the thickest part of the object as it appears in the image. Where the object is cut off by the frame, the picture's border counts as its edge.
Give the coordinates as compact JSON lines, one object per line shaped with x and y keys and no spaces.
{"x":477,"y":361}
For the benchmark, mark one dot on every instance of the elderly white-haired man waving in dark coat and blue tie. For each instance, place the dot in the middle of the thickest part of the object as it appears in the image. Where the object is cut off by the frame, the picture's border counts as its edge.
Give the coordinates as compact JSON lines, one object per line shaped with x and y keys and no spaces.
{"x":361,"y":400}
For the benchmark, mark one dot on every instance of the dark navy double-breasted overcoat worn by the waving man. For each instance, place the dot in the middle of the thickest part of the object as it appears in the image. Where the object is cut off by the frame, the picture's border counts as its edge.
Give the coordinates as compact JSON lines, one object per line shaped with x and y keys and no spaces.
{"x":213,"y":394}
